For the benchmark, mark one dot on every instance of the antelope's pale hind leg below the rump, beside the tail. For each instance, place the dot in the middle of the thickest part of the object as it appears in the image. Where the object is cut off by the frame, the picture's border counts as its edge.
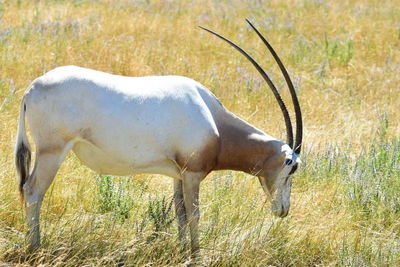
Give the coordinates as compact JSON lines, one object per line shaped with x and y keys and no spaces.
{"x":46,"y":167}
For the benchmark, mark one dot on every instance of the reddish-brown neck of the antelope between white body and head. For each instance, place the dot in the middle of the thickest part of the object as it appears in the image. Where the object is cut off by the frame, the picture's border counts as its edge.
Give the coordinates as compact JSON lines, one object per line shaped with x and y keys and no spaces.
{"x":242,"y":146}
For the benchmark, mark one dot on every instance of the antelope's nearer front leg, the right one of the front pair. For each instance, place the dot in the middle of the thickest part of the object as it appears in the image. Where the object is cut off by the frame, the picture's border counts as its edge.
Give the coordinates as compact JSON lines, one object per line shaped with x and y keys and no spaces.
{"x":191,"y":186}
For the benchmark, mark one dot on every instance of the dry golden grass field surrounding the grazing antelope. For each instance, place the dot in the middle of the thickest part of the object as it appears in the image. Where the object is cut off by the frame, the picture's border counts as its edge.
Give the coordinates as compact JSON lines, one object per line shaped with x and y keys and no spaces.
{"x":344,"y":59}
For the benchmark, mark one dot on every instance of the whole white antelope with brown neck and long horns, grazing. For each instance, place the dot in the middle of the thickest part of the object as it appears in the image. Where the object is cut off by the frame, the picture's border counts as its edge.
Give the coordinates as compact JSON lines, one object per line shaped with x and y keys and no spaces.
{"x":168,"y":125}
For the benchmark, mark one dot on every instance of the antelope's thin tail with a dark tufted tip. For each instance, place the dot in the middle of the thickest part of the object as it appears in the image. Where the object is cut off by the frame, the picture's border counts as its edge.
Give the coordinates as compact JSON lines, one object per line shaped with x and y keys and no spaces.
{"x":22,"y":151}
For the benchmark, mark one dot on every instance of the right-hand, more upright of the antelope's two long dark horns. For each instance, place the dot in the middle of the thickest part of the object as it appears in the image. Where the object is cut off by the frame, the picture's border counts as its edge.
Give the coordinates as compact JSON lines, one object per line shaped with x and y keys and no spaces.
{"x":297,"y":109}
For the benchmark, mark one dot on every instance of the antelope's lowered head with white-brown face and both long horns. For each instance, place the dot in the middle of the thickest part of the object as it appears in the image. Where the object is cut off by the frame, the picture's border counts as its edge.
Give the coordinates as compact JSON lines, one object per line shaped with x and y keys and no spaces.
{"x":276,"y":173}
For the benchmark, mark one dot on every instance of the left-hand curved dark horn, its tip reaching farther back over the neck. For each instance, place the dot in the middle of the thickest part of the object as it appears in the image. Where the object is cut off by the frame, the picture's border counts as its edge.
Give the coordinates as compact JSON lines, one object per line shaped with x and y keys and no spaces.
{"x":289,"y":129}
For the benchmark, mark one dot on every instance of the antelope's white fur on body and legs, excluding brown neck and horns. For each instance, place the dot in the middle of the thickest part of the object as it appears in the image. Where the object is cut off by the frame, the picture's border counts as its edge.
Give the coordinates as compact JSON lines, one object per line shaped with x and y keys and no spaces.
{"x":124,"y":125}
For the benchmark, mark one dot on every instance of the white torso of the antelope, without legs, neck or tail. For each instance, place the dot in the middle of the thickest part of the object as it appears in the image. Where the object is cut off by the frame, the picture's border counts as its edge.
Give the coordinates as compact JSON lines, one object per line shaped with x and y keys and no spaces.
{"x":121,"y":125}
